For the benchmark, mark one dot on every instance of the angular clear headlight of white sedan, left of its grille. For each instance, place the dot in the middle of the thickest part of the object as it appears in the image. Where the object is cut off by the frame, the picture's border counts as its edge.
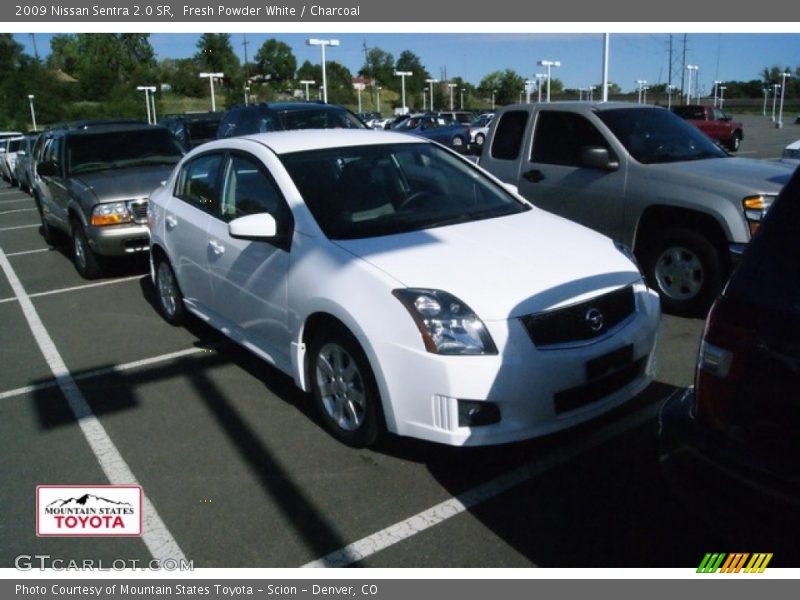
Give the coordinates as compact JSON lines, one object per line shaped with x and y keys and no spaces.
{"x":448,"y":326}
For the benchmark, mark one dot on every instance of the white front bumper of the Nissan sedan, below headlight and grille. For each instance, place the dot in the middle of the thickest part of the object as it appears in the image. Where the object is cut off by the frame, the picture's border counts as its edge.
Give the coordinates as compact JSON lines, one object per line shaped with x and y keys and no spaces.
{"x":537,"y":391}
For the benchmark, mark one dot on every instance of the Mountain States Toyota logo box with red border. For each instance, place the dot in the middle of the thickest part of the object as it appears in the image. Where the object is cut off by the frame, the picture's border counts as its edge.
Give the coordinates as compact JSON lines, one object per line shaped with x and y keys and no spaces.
{"x":101,"y":510}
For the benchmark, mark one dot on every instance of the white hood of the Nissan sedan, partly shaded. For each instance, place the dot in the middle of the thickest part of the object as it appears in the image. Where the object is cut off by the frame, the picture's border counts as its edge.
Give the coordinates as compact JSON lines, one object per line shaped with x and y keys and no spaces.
{"x":503,"y":267}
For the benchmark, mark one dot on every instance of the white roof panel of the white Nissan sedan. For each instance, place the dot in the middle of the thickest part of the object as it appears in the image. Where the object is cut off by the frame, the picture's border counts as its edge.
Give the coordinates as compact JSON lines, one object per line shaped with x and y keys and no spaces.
{"x":299,"y":140}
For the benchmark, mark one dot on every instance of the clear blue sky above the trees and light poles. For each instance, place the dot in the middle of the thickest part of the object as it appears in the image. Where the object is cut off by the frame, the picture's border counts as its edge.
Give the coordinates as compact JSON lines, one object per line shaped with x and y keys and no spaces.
{"x":632,"y":56}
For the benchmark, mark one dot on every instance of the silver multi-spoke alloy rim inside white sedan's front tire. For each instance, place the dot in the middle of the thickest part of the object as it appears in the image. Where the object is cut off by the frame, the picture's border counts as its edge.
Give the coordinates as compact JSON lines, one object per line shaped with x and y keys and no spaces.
{"x":341,"y":387}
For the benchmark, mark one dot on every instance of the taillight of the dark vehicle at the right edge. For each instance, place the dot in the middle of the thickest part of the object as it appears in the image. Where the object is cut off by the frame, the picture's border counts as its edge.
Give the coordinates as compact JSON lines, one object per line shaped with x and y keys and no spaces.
{"x":724,"y":349}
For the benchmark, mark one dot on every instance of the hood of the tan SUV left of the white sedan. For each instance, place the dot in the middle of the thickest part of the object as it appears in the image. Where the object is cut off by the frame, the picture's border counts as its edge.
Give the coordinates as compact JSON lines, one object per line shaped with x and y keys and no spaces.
{"x":122,"y":184}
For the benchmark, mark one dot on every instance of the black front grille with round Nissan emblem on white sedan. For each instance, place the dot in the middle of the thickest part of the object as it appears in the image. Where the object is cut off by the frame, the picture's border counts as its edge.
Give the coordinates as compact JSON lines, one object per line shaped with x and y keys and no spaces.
{"x":581,"y":322}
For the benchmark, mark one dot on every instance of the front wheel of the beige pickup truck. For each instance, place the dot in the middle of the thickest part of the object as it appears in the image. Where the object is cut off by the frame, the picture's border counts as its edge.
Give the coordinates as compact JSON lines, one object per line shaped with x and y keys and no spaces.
{"x":686,"y":270}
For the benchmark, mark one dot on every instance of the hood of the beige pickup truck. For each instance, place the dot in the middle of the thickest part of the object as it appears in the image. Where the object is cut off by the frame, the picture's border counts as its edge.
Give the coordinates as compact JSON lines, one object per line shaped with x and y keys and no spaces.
{"x":749,"y":174}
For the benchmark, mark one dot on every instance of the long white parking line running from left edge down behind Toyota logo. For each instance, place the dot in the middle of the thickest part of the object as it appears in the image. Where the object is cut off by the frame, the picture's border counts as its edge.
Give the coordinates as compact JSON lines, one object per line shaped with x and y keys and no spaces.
{"x":156,"y":536}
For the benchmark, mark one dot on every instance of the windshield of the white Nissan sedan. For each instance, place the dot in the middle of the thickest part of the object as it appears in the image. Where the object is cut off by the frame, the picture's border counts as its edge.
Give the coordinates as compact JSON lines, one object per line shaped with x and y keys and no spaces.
{"x":369,"y":191}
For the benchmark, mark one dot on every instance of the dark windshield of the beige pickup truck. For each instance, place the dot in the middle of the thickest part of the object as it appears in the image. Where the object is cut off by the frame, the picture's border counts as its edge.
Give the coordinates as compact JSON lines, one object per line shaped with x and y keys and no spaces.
{"x":655,"y":135}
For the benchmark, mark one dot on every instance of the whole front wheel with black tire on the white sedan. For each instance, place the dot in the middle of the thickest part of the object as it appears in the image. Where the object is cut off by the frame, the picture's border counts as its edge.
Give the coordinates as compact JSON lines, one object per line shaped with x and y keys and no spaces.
{"x":344,"y":388}
